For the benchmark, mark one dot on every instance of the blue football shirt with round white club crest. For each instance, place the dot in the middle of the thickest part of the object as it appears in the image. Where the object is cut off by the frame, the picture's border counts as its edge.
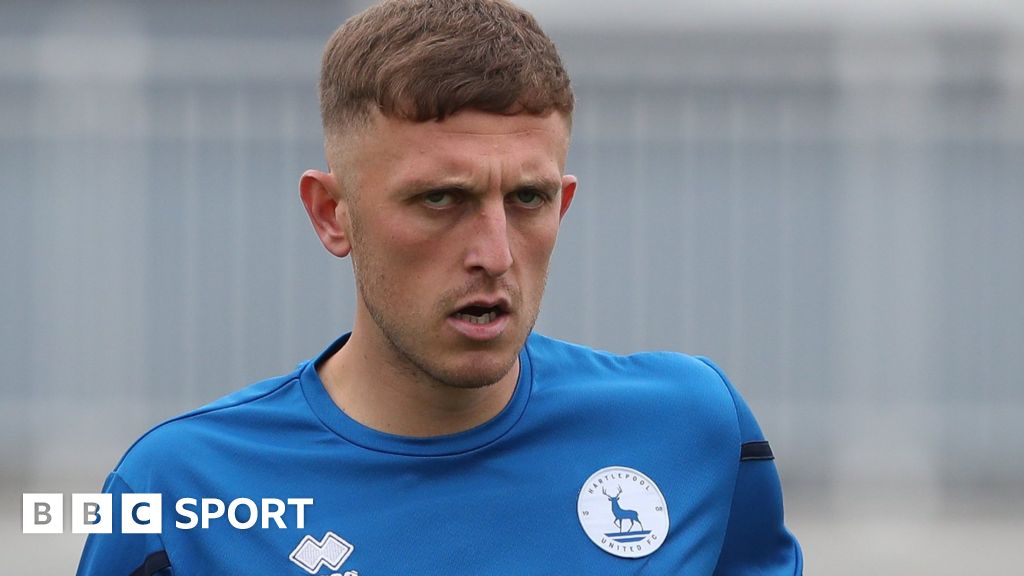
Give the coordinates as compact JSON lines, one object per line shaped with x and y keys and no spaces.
{"x":650,"y":464}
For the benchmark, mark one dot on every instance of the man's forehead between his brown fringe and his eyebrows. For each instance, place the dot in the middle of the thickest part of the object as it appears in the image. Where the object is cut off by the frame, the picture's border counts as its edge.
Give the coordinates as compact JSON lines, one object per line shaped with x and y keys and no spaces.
{"x":465,"y":142}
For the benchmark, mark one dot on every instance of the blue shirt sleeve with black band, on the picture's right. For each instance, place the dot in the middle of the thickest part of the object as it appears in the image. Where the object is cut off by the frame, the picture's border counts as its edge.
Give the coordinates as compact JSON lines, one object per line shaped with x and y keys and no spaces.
{"x":756,"y":541}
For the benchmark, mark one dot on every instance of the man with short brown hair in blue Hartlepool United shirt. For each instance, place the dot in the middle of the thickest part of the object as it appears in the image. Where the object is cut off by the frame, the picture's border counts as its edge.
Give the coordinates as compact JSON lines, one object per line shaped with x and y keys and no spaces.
{"x":441,"y":436}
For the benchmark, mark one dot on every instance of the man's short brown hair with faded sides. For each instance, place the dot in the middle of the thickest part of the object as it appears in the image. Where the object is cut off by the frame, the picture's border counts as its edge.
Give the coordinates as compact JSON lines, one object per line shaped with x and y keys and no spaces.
{"x":426,"y":60}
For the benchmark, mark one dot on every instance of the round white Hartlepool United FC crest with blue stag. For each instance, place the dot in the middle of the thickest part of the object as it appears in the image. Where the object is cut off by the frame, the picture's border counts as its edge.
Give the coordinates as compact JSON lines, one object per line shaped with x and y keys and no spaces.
{"x":623,"y":512}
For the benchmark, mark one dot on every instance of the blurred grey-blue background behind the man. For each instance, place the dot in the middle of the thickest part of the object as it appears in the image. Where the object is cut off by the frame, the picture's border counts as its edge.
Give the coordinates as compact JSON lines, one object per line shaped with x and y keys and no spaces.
{"x":828,"y":198}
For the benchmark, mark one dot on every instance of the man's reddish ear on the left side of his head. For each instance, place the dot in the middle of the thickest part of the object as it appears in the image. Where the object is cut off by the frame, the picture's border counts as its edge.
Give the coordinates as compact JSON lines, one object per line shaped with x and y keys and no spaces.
{"x":328,"y":214}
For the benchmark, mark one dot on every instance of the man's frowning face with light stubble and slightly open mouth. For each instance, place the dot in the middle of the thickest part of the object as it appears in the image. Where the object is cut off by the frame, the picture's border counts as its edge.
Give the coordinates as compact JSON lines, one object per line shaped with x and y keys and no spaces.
{"x":451,"y":228}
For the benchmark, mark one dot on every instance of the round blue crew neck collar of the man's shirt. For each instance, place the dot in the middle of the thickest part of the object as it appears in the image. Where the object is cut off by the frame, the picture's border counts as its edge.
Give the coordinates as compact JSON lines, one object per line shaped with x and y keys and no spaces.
{"x":342,"y":424}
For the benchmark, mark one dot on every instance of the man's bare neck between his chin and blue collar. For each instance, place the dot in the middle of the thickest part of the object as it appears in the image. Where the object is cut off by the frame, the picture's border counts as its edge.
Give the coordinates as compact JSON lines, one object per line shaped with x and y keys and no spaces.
{"x":390,"y":395}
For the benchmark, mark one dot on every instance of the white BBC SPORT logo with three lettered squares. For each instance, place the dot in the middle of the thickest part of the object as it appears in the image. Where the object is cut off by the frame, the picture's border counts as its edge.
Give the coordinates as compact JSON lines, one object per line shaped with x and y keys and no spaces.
{"x":143,"y":514}
